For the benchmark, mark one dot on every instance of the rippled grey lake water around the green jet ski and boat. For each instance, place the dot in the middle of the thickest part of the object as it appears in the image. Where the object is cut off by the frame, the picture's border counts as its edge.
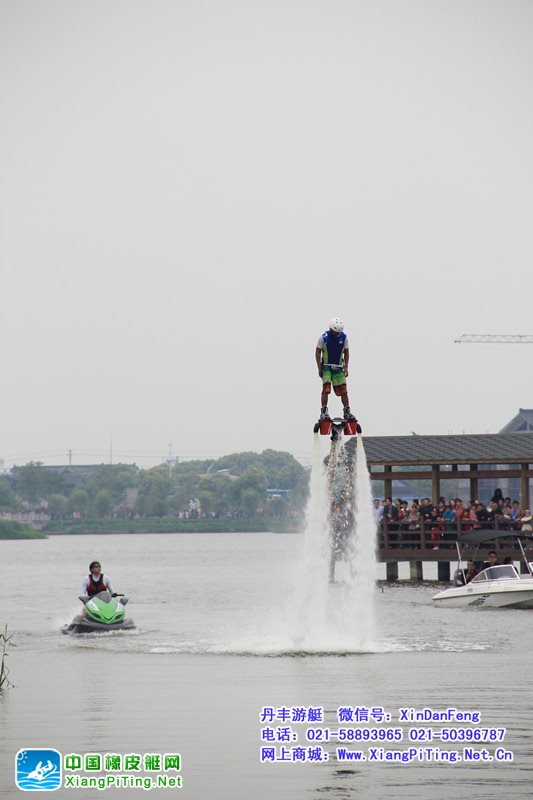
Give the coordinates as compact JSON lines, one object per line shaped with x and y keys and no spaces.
{"x":215,"y":643}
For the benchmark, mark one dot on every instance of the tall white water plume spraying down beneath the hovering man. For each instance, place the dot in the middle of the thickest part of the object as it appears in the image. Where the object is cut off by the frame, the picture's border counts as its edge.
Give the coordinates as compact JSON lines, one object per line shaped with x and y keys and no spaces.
{"x":337,"y":615}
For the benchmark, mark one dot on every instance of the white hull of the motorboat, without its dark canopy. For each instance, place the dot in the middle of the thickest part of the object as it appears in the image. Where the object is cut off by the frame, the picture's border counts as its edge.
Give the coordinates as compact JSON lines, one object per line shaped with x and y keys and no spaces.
{"x":495,"y":587}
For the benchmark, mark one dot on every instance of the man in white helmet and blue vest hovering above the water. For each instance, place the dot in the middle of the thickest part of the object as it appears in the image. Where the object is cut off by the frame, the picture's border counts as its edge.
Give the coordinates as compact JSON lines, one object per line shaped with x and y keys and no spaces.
{"x":332,"y":356}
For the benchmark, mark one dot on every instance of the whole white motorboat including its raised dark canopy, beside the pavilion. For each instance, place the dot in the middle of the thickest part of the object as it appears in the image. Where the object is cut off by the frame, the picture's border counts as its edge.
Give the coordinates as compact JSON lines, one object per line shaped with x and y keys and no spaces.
{"x":497,"y":586}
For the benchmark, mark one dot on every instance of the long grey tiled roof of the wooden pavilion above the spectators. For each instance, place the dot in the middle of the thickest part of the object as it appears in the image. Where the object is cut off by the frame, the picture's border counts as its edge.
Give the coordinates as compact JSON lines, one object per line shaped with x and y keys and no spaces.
{"x":494,"y":448}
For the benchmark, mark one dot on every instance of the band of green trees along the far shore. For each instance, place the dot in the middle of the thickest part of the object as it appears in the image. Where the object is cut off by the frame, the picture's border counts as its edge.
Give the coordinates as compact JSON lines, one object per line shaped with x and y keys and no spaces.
{"x":240,"y":484}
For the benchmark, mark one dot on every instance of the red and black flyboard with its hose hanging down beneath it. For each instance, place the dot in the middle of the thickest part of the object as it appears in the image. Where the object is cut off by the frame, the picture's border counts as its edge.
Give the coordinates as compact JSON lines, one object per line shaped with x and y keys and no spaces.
{"x":340,"y":486}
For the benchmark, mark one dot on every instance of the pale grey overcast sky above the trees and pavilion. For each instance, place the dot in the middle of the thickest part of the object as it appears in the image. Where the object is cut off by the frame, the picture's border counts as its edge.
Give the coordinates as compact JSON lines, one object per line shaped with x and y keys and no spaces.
{"x":191,"y":189}
